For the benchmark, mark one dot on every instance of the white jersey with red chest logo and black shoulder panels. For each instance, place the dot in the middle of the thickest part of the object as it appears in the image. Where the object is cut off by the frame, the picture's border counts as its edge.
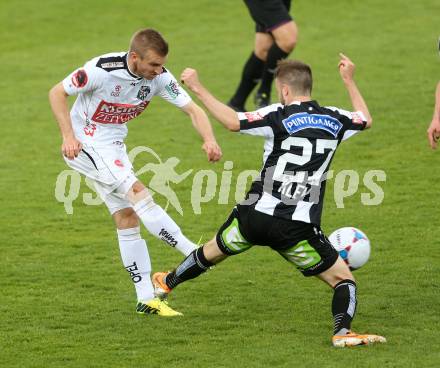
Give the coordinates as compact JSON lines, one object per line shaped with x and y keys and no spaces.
{"x":109,"y":95}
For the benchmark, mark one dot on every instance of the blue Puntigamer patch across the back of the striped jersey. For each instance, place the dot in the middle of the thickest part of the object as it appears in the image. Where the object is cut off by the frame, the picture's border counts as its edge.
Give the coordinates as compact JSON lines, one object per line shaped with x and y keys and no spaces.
{"x":297,"y":122}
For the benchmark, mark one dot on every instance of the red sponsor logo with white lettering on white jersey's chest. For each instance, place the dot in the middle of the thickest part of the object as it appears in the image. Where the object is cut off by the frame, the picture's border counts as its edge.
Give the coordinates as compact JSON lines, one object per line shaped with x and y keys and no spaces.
{"x":115,"y":113}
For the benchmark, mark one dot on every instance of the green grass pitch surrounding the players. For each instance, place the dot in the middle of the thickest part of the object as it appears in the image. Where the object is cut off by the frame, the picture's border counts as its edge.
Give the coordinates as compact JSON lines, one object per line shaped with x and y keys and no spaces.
{"x":66,"y":301}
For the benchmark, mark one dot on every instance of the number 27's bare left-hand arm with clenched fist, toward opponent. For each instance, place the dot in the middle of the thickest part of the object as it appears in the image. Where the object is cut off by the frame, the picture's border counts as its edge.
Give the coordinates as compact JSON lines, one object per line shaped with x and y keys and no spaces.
{"x":224,"y":114}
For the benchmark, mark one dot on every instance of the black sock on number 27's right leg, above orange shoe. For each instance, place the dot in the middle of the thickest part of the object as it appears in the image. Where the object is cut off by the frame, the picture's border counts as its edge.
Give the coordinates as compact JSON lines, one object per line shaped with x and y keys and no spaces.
{"x":344,"y":305}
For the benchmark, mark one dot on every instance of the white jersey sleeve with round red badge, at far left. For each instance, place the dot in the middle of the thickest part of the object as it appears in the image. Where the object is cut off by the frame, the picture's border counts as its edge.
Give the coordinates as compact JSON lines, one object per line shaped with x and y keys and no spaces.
{"x":85,"y":79}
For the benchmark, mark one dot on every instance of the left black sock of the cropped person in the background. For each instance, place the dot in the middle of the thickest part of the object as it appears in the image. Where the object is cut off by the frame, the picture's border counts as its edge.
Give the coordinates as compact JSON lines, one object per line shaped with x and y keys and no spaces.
{"x":251,"y":75}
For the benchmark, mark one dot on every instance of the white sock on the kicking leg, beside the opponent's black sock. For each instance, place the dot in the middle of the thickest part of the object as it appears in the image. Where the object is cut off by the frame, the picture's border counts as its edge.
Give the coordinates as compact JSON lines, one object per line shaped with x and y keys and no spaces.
{"x":162,"y":226}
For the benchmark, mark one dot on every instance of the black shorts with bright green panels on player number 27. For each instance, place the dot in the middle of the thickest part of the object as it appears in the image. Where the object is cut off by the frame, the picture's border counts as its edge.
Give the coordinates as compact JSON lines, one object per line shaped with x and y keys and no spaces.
{"x":300,"y":243}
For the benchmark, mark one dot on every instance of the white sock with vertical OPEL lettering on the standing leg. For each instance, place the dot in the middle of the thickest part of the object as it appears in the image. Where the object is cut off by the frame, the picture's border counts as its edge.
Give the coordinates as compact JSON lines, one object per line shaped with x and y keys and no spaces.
{"x":136,"y":260}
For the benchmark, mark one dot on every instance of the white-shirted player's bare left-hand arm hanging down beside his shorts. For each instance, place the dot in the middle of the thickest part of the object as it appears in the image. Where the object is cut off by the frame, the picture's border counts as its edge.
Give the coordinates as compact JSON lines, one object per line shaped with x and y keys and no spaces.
{"x":58,"y":102}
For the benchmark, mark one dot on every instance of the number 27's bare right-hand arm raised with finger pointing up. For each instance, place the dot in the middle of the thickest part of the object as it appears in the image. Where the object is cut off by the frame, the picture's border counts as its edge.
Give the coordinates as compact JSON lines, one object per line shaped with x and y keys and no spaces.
{"x":346,"y":69}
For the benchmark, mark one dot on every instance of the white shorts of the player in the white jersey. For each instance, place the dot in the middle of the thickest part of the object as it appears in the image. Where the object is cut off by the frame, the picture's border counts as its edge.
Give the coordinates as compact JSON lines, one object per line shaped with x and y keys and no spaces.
{"x":110,"y":170}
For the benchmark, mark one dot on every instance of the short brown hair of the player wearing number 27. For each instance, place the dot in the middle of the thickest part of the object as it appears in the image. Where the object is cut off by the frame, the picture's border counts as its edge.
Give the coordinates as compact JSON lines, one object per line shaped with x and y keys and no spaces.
{"x":296,"y":74}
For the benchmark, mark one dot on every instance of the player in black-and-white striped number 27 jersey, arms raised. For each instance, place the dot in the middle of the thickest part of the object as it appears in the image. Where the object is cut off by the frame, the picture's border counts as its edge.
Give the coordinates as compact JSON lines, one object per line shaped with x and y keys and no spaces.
{"x":283,"y":208}
